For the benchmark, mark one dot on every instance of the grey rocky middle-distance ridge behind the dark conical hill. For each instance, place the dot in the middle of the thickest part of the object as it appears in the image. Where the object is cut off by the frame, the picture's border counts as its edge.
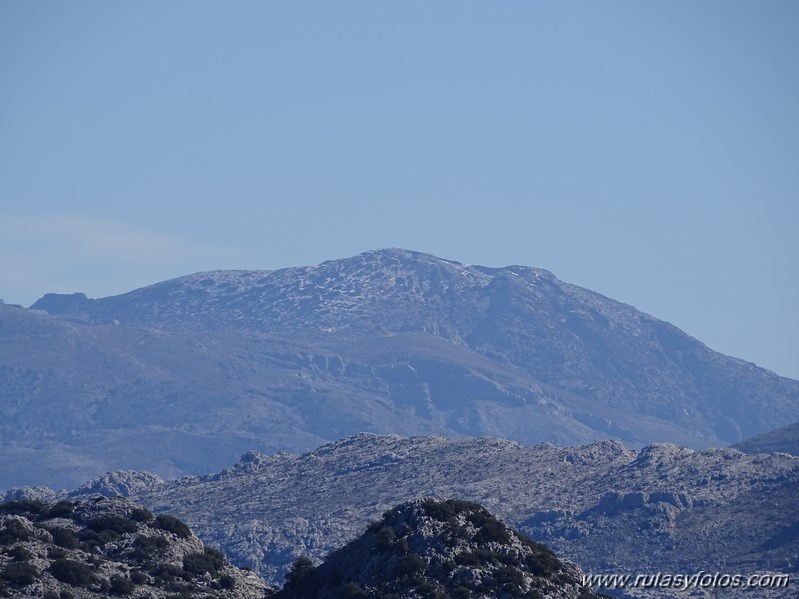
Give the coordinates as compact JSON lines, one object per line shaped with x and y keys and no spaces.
{"x":608,"y":508}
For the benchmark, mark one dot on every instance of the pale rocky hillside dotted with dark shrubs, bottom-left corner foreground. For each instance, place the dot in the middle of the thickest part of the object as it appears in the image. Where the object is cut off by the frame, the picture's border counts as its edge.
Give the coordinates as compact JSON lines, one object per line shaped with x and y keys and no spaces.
{"x":69,"y":550}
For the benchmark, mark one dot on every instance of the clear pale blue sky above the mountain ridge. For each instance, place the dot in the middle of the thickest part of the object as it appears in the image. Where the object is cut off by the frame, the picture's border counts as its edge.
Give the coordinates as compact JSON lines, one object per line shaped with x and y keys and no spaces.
{"x":646,"y":150}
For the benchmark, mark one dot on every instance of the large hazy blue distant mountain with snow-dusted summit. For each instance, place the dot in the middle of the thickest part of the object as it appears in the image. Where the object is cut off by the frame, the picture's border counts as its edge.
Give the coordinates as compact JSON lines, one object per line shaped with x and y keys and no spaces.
{"x":185,"y":375}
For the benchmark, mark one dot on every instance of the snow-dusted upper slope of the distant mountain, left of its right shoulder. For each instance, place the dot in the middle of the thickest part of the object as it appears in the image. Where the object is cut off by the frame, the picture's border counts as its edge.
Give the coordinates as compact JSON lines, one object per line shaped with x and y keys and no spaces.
{"x":369,"y":292}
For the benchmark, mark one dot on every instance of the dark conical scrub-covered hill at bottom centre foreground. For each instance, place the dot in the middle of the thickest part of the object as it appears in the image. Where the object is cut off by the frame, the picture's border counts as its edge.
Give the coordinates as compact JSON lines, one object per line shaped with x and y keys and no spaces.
{"x":443,"y":549}
